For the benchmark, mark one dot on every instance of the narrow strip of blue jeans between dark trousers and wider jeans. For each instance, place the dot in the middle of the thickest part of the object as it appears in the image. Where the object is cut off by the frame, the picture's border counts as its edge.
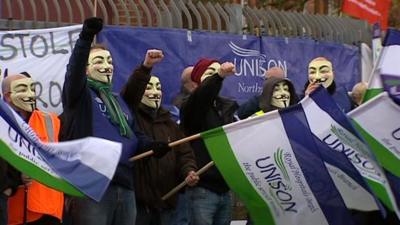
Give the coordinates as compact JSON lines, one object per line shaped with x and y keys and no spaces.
{"x":182,"y":212}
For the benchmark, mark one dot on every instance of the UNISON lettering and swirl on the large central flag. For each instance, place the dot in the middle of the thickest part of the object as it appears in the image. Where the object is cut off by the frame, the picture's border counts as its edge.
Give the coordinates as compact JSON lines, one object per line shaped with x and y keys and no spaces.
{"x":276,"y":175}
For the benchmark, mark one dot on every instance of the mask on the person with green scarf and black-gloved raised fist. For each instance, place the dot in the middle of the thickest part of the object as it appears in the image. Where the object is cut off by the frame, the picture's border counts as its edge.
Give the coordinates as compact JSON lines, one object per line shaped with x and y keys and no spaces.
{"x":100,"y":66}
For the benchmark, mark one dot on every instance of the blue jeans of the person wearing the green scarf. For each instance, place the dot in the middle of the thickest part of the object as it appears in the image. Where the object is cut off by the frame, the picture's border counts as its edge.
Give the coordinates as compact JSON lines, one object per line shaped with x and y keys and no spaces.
{"x":117,"y":207}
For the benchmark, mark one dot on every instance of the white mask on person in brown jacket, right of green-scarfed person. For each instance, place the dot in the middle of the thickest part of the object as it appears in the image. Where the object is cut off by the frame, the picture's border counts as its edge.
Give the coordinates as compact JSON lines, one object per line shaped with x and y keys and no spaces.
{"x":152,"y":95}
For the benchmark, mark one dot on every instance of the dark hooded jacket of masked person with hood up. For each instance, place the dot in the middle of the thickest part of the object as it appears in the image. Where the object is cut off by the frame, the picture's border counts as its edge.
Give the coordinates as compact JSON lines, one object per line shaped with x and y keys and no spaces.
{"x":263,"y":102}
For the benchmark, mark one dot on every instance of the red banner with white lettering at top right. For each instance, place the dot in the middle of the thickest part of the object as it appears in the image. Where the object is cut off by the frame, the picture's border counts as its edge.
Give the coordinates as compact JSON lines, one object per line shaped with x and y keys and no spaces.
{"x":370,"y":10}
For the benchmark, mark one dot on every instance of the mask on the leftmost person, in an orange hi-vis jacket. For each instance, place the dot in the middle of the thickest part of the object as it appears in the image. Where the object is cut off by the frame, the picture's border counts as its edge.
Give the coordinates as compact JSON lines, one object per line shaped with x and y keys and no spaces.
{"x":23,"y":94}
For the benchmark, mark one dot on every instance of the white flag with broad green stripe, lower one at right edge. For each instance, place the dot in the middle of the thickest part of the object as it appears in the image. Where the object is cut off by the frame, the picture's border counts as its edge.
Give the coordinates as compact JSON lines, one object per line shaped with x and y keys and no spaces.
{"x":378,"y":122}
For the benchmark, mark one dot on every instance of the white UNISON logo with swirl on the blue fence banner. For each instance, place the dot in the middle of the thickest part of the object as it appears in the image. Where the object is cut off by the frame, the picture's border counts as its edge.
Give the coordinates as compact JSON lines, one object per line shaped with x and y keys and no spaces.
{"x":252,"y":63}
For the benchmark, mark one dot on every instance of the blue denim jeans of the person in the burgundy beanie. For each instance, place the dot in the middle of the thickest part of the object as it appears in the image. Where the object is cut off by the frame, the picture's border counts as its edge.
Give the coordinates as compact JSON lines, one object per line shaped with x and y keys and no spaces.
{"x":210,"y":208}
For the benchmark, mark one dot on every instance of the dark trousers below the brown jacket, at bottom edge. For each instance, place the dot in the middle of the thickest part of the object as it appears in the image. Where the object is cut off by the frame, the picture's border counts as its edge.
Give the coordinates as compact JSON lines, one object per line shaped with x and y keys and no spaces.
{"x":148,"y":216}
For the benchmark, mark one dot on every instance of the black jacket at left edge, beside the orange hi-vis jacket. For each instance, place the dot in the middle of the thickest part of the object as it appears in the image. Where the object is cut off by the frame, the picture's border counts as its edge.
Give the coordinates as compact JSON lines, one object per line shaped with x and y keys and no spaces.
{"x":9,"y":177}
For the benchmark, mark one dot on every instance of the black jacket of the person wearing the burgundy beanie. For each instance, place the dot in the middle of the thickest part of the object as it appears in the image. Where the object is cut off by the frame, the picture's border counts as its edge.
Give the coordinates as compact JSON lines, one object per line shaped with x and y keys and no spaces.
{"x":202,"y":111}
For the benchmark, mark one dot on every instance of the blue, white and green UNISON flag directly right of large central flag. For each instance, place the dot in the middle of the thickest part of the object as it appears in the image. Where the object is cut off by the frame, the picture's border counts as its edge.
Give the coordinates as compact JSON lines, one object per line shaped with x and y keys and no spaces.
{"x":331,"y":127}
